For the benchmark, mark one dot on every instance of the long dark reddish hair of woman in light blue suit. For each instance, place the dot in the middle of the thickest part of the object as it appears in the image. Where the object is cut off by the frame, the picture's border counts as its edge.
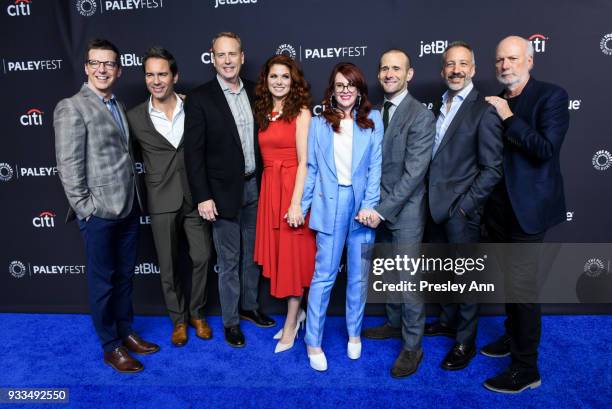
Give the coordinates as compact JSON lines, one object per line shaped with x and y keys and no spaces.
{"x":355,"y":77}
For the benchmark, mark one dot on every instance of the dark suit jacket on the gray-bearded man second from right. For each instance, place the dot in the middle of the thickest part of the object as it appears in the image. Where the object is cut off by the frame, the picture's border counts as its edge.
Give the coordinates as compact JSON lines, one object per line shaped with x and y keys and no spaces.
{"x":468,"y":162}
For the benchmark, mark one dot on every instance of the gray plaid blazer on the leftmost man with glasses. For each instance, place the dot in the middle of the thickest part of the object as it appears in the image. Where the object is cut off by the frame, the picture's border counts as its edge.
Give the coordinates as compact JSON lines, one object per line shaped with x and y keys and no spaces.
{"x":94,"y":161}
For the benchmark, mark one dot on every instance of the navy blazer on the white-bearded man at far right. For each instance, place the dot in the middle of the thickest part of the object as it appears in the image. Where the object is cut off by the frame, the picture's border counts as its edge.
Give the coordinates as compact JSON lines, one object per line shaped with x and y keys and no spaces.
{"x":532,"y":144}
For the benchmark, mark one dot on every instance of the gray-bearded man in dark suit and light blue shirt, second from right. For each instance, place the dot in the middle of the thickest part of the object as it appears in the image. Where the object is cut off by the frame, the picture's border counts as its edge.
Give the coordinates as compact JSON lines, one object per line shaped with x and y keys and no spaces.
{"x":466,"y":166}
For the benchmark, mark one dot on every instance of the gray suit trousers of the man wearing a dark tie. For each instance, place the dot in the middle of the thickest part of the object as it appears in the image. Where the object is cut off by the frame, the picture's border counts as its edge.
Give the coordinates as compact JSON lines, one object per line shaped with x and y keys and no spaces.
{"x":409,"y":316}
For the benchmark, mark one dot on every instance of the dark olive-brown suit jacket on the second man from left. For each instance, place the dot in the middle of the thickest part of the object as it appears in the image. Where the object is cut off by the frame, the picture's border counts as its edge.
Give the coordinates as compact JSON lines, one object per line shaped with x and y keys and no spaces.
{"x":165,"y":178}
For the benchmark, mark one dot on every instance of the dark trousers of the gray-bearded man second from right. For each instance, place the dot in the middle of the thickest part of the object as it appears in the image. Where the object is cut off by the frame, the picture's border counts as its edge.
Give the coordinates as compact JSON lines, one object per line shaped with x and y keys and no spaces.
{"x":456,"y":230}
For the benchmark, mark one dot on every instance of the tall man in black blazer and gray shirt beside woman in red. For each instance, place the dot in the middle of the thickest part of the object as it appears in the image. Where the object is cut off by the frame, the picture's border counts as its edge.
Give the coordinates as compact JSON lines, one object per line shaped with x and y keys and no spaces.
{"x":223,"y":165}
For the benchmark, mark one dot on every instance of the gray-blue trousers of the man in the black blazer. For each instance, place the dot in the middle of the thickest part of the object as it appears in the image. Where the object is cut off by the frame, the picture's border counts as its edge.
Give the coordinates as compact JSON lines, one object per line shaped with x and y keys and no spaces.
{"x":234,"y":241}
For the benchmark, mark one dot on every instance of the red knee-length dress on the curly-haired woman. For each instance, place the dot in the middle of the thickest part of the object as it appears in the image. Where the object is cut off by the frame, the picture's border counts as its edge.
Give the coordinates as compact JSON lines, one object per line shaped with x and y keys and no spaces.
{"x":286,"y":254}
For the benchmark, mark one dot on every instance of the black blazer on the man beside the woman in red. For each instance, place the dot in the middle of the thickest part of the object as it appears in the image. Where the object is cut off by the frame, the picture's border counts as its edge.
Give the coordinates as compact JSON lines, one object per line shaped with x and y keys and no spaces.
{"x":213,"y":151}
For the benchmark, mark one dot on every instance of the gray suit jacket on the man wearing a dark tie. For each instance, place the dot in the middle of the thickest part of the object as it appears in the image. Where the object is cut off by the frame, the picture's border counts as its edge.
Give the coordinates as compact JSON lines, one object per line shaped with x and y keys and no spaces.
{"x":406,"y":153}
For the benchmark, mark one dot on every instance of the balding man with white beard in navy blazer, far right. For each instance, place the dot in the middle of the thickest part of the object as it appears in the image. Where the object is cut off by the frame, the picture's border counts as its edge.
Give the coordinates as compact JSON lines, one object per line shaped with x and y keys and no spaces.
{"x":527,"y":202}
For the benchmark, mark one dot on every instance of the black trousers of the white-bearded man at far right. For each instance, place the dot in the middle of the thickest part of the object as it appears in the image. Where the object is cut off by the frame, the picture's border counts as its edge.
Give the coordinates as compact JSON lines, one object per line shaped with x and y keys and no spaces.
{"x":523,"y":323}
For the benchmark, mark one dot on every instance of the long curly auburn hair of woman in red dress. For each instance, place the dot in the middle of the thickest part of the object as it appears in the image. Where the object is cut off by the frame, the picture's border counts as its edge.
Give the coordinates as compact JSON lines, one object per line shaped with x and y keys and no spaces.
{"x":298,"y":97}
